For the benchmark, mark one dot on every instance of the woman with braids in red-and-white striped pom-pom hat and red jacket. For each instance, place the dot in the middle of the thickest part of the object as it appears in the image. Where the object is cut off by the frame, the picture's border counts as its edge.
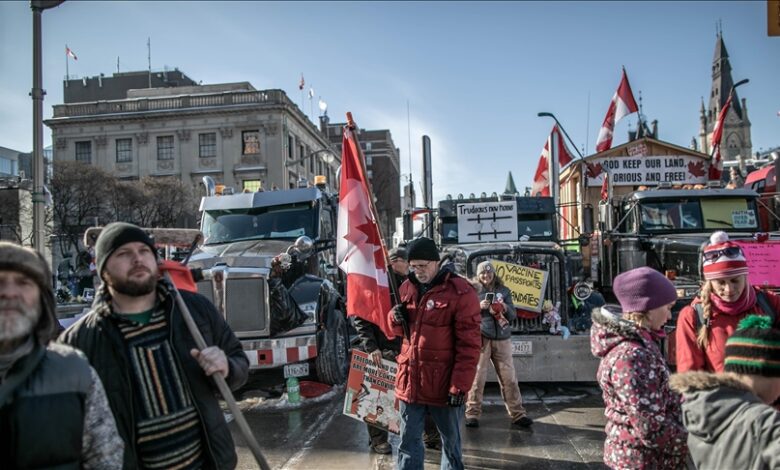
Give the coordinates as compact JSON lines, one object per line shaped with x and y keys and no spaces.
{"x":726,"y":298}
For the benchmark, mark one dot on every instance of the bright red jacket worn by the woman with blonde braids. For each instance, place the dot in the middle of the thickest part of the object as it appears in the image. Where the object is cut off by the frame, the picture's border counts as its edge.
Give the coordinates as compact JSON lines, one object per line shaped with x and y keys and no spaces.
{"x":690,"y":356}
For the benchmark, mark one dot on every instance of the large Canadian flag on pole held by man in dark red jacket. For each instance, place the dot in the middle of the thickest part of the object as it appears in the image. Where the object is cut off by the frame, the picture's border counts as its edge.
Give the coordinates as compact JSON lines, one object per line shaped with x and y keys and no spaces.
{"x":359,"y":250}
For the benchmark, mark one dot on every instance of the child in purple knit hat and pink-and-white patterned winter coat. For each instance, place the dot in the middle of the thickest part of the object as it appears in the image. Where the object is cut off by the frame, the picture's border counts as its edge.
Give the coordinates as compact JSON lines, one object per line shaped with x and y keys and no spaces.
{"x":644,"y":427}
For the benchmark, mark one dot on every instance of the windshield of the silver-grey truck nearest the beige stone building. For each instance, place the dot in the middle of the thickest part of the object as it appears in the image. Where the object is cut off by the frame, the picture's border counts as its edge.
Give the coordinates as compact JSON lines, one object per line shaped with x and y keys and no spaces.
{"x":286,"y":222}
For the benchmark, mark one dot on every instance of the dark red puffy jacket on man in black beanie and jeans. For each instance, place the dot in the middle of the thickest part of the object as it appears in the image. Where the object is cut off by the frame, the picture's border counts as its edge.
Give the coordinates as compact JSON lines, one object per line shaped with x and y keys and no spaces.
{"x":443,"y":348}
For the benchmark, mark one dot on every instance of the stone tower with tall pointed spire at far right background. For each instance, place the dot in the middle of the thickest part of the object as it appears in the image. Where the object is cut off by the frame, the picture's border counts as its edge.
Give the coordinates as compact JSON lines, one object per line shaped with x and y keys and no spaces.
{"x":736,"y":130}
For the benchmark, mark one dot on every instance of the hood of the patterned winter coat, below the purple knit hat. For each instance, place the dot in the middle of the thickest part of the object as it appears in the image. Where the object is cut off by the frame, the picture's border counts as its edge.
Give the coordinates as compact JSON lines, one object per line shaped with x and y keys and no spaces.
{"x":610,"y":329}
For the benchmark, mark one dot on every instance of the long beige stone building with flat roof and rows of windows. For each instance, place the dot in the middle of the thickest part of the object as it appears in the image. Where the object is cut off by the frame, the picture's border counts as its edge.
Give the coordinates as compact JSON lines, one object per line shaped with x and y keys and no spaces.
{"x":244,"y":138}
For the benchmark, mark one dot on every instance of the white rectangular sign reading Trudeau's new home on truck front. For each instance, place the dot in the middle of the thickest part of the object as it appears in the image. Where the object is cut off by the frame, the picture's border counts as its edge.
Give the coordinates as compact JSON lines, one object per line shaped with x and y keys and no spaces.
{"x":487,"y":221}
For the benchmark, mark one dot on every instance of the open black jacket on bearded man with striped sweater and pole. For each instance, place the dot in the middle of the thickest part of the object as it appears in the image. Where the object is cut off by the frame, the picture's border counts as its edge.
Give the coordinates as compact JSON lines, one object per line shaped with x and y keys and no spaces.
{"x":97,"y":335}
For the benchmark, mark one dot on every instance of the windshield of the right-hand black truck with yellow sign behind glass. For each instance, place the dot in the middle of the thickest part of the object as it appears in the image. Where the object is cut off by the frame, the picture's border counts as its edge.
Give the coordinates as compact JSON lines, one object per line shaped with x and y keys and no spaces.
{"x":698,"y":214}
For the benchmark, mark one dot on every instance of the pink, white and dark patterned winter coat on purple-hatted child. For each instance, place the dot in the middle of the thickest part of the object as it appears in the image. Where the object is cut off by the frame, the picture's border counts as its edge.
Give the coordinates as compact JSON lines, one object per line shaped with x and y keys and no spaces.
{"x":644,"y":428}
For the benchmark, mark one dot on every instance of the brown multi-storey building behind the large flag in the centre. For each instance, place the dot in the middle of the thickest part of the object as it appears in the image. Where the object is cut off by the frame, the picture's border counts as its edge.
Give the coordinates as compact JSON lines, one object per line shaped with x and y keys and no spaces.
{"x":383,"y":168}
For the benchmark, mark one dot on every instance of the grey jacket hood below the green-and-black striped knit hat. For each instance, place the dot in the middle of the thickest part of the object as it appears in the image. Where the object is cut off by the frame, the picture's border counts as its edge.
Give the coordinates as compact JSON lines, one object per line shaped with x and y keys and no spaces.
{"x":711,"y":402}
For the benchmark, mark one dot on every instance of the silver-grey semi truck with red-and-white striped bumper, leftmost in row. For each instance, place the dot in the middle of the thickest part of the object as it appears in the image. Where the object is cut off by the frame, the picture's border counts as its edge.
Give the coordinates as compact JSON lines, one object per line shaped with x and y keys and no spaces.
{"x":243,"y":235}
